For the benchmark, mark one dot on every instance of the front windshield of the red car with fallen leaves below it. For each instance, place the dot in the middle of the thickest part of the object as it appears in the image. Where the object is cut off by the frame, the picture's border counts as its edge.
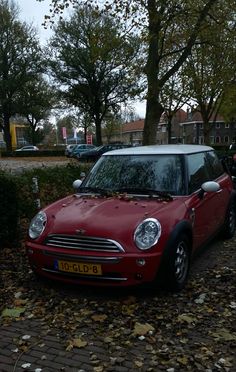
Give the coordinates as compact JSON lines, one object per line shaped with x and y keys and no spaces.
{"x":137,"y":174}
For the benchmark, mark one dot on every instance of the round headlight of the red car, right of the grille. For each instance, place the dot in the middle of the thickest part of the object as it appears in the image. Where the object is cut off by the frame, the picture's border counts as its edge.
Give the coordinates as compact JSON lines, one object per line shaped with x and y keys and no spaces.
{"x":147,"y":233}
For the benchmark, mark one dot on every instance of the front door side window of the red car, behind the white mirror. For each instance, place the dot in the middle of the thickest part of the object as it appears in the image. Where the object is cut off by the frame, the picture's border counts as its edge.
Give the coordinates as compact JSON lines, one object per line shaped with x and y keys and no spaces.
{"x":197,"y":171}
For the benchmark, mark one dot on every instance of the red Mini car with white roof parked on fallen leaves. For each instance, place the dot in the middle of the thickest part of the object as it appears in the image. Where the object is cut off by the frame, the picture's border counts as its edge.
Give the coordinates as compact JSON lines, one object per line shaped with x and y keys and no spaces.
{"x":137,"y":217}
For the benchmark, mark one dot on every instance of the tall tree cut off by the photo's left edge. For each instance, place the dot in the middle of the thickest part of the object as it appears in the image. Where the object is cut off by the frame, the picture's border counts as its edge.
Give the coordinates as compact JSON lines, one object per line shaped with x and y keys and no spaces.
{"x":20,"y":61}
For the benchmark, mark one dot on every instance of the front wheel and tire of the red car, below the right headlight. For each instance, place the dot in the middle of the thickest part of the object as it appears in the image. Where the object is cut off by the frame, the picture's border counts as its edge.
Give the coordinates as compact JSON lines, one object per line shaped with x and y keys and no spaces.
{"x":175,"y":266}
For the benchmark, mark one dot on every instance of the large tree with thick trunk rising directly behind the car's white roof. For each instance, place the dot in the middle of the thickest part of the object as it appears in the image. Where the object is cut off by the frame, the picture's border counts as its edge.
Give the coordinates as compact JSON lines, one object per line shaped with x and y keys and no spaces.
{"x":169,"y":29}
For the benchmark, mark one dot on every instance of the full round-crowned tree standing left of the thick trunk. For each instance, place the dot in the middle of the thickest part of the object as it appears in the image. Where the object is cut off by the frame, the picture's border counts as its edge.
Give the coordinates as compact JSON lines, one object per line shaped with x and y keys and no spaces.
{"x":93,"y":64}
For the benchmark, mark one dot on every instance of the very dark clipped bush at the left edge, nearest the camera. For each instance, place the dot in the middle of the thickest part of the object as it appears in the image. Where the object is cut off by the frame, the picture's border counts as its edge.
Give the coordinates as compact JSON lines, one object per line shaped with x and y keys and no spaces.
{"x":9,"y":210}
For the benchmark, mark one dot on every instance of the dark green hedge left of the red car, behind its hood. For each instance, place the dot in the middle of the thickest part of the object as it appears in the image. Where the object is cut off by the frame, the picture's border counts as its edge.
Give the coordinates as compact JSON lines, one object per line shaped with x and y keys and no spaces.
{"x":18,"y":202}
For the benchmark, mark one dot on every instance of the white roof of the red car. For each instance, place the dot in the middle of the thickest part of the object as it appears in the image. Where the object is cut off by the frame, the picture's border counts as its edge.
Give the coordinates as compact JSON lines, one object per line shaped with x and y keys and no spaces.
{"x":160,"y":149}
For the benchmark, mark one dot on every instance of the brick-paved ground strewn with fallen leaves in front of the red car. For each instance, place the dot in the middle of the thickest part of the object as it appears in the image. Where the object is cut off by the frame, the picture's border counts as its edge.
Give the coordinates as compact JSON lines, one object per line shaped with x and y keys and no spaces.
{"x":79,"y":329}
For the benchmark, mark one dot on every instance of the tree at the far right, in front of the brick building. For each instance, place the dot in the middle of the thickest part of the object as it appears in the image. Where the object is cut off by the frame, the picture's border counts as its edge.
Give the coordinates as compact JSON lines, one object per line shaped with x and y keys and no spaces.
{"x":211,"y":68}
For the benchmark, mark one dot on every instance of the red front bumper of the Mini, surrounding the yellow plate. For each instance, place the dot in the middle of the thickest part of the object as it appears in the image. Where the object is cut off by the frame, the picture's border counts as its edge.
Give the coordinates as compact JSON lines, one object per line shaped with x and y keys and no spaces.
{"x":117,"y":269}
